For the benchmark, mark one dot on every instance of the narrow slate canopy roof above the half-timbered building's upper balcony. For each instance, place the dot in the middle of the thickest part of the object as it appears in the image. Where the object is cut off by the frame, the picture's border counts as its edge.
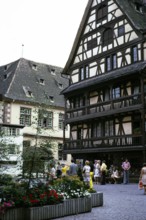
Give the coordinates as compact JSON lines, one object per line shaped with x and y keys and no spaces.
{"x":104,"y":78}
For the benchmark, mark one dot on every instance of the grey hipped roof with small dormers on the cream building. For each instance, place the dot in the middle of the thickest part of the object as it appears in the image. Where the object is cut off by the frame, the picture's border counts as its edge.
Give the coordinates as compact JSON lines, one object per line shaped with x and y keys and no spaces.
{"x":21,"y":74}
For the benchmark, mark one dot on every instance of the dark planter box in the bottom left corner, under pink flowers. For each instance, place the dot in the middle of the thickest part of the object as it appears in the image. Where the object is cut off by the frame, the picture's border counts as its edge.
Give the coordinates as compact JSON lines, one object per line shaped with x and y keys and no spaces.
{"x":13,"y":214}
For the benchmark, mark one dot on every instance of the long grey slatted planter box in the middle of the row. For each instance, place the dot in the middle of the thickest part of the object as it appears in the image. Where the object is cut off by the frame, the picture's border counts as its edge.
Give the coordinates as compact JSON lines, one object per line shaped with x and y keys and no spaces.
{"x":68,"y":207}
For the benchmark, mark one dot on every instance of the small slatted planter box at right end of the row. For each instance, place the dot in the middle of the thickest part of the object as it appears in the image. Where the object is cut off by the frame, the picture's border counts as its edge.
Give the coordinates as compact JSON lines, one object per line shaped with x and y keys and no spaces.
{"x":97,"y":199}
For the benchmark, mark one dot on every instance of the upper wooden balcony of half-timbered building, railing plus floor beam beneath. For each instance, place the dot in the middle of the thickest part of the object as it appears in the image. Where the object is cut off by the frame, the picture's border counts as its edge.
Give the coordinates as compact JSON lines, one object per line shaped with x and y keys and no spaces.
{"x":109,"y":107}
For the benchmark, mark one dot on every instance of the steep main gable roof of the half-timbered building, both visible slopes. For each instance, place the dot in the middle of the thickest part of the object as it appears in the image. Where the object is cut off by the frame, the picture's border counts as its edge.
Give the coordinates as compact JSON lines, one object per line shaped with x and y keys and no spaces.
{"x":137,"y":19}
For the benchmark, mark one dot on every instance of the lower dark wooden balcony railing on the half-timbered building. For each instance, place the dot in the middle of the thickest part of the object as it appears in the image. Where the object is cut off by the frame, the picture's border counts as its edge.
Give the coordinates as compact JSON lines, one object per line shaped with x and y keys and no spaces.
{"x":104,"y":142}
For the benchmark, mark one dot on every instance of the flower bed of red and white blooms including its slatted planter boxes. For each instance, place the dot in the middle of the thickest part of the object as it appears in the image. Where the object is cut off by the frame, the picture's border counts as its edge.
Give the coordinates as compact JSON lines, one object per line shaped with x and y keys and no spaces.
{"x":67,"y":197}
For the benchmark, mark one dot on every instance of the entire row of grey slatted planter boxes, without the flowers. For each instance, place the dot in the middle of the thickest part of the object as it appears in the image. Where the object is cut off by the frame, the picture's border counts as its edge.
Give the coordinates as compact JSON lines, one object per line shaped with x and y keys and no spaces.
{"x":68,"y":207}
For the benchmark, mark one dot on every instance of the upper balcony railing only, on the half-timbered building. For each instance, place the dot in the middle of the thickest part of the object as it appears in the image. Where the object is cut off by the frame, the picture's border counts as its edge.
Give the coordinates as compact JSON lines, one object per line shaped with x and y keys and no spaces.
{"x":111,"y":105}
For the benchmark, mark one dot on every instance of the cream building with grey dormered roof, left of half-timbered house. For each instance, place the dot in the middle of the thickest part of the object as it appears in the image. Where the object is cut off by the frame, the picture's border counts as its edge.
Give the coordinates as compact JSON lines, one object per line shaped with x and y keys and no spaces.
{"x":30,"y":98}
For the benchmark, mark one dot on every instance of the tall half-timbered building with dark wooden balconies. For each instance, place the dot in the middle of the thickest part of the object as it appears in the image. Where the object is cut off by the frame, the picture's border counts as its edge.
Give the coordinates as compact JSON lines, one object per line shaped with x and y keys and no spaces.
{"x":105,"y":101}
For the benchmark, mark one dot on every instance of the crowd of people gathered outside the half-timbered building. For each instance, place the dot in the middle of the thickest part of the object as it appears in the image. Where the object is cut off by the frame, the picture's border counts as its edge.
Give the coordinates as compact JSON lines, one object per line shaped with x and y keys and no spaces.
{"x":96,"y":172}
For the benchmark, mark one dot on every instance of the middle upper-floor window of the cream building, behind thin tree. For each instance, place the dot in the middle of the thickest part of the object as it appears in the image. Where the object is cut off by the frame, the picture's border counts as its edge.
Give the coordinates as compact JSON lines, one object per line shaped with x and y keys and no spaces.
{"x":45,"y":119}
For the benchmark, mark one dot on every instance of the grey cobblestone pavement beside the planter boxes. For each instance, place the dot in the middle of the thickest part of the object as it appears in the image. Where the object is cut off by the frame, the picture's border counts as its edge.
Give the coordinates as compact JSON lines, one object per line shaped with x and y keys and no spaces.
{"x":121,"y":202}
